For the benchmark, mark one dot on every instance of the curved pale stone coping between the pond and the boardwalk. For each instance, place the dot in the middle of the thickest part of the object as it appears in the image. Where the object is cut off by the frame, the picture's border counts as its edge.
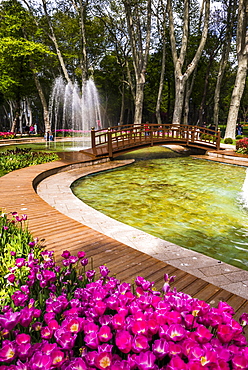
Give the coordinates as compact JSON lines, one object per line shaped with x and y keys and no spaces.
{"x":55,"y":190}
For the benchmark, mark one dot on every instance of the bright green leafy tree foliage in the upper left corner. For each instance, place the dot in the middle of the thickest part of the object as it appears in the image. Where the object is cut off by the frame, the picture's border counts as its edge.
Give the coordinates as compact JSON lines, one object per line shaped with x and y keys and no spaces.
{"x":18,"y":49}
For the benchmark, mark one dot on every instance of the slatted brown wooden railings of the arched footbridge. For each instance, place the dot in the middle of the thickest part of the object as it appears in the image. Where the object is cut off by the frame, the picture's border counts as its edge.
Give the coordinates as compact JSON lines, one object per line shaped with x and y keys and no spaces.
{"x":120,"y":137}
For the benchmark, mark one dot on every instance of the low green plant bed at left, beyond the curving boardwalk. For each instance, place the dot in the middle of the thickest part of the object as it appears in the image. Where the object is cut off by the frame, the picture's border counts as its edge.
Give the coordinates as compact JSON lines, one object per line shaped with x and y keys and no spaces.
{"x":19,"y":158}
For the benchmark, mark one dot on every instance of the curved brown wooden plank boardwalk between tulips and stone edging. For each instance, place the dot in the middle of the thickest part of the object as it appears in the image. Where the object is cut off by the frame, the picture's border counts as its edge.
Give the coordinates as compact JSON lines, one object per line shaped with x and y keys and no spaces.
{"x":62,"y":233}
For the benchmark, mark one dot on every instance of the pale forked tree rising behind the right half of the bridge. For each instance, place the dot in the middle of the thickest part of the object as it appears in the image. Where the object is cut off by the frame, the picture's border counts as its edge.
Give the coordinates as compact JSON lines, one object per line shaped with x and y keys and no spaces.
{"x":181,"y":71}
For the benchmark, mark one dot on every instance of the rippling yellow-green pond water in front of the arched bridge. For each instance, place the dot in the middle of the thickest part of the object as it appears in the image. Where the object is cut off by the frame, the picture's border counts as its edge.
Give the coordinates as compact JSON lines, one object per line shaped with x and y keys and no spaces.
{"x":194,"y":203}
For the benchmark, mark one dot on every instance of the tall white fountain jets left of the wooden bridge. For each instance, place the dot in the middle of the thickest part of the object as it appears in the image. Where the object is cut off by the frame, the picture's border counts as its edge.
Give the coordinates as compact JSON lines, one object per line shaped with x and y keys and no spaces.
{"x":73,"y":111}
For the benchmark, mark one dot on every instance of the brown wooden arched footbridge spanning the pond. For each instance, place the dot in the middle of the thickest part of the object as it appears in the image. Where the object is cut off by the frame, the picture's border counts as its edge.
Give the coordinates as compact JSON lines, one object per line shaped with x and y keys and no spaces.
{"x":117,"y":140}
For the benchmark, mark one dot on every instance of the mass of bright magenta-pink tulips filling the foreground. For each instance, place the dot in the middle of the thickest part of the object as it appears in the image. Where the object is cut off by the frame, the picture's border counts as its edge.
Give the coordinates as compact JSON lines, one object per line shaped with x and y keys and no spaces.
{"x":60,"y":318}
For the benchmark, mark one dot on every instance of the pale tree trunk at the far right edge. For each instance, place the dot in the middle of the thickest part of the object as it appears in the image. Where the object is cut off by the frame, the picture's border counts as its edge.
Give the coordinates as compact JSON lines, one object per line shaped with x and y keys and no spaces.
{"x":242,"y":56}
